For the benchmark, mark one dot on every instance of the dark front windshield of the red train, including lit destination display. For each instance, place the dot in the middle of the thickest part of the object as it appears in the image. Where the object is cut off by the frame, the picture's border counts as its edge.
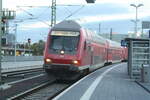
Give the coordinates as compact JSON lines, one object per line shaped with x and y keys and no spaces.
{"x":64,"y":40}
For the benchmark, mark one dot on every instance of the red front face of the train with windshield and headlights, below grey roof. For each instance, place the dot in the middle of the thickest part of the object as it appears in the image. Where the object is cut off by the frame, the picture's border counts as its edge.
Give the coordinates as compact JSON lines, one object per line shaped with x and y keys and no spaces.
{"x":62,"y":53}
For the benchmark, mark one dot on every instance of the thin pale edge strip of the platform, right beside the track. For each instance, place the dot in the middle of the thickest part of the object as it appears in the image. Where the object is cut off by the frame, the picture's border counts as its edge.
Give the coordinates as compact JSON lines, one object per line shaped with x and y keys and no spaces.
{"x":65,"y":91}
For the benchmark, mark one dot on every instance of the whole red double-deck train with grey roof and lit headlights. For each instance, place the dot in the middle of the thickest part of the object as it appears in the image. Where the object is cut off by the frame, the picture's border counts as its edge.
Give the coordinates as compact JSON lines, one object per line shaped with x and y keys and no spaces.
{"x":72,"y":50}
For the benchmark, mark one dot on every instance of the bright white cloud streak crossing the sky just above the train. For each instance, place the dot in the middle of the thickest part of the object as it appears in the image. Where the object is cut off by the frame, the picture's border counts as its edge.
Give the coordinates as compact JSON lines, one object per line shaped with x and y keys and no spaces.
{"x":89,"y":19}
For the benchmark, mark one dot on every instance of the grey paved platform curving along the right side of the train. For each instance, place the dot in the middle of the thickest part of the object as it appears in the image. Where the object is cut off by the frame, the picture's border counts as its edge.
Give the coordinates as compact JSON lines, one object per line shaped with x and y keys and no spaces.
{"x":108,"y":83}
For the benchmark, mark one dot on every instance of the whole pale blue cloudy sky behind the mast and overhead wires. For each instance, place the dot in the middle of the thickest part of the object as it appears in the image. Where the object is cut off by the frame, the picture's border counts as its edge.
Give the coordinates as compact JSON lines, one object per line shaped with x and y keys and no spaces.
{"x":115,"y":14}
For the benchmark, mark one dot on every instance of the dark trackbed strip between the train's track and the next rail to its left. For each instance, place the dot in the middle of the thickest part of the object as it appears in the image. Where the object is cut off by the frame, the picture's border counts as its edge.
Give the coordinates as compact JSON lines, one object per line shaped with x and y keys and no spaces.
{"x":20,"y":86}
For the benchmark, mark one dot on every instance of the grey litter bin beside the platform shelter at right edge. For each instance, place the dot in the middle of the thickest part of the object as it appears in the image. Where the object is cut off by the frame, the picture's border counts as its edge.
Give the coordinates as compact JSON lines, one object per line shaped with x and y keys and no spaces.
{"x":145,"y":73}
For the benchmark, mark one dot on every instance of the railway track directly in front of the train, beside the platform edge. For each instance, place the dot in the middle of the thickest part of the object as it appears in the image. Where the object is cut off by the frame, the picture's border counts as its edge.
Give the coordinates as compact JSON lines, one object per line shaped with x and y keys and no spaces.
{"x":42,"y":92}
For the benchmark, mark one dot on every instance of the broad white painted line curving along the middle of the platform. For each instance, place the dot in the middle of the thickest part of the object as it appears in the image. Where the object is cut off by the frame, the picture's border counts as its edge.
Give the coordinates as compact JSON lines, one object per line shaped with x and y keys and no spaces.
{"x":87,"y":95}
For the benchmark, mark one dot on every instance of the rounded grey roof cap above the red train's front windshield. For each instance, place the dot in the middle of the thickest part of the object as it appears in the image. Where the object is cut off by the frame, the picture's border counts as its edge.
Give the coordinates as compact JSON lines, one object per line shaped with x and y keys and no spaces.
{"x":68,"y":25}
